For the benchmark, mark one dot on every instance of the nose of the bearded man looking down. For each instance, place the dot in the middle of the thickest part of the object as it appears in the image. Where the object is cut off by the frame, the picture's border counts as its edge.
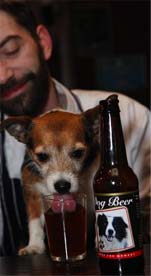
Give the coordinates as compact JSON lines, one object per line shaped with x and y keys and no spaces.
{"x":6,"y":72}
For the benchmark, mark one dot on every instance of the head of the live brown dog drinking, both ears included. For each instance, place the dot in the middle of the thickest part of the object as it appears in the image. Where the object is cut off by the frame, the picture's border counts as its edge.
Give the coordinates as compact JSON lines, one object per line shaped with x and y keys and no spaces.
{"x":60,"y":147}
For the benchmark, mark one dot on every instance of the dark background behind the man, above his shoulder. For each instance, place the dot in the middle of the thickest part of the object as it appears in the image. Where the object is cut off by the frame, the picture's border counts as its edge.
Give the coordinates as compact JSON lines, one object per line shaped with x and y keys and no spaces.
{"x":101,"y":45}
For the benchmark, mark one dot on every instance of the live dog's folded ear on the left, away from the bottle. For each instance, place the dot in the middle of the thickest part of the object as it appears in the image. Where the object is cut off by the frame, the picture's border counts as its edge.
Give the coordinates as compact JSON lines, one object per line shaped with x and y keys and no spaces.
{"x":18,"y":127}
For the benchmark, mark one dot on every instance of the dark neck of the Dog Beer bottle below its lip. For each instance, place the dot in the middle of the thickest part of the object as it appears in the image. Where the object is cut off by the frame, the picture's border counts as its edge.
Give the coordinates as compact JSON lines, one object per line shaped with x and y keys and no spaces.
{"x":112,"y":140}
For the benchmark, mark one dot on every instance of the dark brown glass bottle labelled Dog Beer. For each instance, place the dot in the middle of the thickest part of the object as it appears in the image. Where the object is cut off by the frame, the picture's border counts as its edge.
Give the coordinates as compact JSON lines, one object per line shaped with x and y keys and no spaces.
{"x":118,"y":223}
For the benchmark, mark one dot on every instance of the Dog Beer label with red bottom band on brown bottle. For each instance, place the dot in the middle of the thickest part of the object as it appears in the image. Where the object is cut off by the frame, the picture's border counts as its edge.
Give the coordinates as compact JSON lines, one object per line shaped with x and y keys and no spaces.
{"x":118,"y":225}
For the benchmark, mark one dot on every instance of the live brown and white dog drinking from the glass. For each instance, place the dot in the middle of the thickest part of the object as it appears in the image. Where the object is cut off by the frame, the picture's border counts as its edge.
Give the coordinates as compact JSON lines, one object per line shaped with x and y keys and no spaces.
{"x":62,"y":157}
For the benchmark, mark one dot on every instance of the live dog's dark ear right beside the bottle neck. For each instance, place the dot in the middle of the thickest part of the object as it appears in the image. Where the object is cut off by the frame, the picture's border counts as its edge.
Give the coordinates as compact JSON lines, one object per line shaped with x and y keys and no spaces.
{"x":91,"y":120}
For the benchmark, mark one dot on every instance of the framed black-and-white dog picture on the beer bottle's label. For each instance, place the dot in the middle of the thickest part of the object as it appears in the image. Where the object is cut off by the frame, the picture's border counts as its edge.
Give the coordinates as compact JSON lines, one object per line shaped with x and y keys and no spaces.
{"x":114,"y":230}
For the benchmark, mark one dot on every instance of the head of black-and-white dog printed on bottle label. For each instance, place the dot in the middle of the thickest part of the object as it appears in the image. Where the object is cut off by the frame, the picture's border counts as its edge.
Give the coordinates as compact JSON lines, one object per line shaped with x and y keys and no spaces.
{"x":112,"y":227}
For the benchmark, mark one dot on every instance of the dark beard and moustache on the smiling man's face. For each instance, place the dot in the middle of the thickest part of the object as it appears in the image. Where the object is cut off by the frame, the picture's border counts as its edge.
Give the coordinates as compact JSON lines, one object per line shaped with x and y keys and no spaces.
{"x":32,"y":101}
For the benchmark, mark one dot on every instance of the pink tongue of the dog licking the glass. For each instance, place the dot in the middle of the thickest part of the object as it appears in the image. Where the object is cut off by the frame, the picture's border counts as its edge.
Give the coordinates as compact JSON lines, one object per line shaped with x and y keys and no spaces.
{"x":65,"y":201}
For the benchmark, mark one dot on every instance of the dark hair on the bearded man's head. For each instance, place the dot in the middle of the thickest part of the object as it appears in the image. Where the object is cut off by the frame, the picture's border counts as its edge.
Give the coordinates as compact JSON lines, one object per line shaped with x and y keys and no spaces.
{"x":22,"y":13}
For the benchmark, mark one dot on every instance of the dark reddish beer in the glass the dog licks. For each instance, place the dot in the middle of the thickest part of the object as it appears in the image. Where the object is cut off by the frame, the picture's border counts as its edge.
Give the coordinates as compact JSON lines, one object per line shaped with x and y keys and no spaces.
{"x":66,"y":231}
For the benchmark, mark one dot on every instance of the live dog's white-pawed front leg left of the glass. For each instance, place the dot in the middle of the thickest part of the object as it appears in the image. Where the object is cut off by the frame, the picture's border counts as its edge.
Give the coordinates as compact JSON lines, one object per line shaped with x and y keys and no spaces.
{"x":36,"y":243}
